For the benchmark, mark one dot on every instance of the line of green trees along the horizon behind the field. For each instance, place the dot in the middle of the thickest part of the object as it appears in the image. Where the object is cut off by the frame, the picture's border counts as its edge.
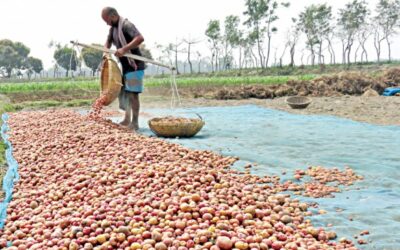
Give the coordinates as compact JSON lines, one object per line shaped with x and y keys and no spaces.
{"x":247,"y":43}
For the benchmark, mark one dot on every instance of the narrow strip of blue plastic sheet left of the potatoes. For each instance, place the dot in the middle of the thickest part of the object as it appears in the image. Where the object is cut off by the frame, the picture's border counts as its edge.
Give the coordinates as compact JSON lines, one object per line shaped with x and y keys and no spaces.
{"x":12,"y":171}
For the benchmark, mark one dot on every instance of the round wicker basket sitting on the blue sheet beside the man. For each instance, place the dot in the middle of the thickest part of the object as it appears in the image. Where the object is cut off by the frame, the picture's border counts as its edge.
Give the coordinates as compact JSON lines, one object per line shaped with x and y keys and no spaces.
{"x":176,"y":127}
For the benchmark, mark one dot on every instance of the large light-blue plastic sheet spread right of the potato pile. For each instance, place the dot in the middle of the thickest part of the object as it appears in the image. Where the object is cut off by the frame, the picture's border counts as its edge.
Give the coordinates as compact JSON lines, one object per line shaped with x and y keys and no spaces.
{"x":279,"y":141}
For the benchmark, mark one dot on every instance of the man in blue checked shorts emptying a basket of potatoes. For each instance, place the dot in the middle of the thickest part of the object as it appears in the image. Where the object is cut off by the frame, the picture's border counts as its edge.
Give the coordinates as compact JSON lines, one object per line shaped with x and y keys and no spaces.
{"x":126,"y":38}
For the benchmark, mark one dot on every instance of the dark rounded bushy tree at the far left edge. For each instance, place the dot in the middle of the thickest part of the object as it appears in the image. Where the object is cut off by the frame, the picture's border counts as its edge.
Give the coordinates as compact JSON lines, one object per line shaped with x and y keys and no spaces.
{"x":13,"y":55}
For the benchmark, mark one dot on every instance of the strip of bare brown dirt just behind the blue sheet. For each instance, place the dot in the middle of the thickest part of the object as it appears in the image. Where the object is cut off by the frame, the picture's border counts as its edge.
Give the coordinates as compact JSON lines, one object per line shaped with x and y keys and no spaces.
{"x":380,"y":110}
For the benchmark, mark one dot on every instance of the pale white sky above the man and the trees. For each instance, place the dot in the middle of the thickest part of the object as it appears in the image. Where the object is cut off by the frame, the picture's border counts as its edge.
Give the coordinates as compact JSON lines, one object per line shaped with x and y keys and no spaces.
{"x":36,"y":23}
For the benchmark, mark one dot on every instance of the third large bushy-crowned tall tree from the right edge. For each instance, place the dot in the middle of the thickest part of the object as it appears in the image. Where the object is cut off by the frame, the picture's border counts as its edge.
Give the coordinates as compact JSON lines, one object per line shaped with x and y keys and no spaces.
{"x":314,"y":21}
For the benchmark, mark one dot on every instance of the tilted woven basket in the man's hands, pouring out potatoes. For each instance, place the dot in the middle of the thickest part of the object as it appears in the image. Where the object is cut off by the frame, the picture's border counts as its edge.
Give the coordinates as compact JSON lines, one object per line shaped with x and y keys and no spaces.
{"x":111,"y":80}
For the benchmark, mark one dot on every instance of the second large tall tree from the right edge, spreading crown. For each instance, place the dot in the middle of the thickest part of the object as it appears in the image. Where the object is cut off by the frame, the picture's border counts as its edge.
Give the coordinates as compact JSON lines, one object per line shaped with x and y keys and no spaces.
{"x":351,"y":19}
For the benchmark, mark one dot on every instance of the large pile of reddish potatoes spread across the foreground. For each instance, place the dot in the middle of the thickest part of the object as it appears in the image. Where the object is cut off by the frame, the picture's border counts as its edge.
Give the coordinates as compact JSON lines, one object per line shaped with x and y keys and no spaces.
{"x":91,"y":184}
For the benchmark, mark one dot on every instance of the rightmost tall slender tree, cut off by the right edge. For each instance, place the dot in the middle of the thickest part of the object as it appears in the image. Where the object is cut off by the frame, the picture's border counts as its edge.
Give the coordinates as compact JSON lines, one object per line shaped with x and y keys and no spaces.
{"x":387,"y":19}
